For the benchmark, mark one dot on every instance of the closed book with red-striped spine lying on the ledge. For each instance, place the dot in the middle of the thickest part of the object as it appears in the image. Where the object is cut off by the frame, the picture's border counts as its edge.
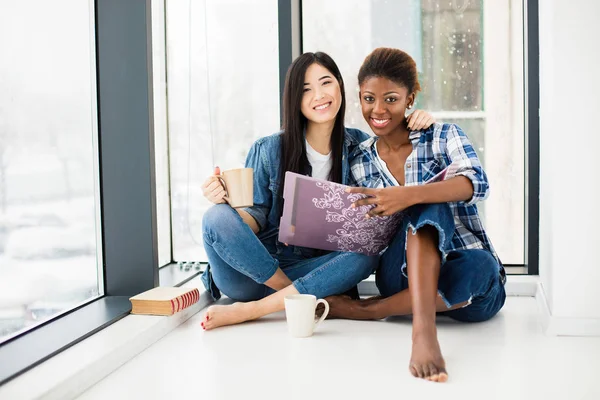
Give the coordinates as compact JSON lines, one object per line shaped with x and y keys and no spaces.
{"x":164,"y":300}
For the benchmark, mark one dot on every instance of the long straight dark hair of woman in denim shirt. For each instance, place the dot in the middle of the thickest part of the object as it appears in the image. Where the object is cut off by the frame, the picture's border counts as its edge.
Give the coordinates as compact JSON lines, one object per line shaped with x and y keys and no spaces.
{"x":293,"y":149}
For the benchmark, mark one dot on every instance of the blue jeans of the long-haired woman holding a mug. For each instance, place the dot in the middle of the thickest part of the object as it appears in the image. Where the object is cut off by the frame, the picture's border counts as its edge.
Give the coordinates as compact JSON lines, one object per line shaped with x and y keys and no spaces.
{"x":240,"y":262}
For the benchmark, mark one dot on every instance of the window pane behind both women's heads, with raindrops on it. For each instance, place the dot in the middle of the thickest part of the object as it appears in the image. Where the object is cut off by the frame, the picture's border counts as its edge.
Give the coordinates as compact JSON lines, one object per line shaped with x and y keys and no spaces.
{"x":469,"y":55}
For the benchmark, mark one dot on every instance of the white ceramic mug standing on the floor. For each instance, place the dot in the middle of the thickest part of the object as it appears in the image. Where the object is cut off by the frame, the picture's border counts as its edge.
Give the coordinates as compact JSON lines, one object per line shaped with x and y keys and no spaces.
{"x":300,"y":314}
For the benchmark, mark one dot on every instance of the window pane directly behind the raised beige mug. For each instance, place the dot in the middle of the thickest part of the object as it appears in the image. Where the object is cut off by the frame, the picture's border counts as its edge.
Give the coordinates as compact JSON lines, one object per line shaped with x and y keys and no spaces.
{"x":223,"y":74}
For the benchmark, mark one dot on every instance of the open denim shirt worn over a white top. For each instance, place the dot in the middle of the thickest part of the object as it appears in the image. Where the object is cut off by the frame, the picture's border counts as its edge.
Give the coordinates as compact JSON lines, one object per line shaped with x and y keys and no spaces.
{"x":265,"y":158}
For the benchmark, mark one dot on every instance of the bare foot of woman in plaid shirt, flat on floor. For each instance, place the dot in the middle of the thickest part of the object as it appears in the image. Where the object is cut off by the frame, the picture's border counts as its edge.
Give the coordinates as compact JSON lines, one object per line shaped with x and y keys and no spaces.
{"x":426,"y":361}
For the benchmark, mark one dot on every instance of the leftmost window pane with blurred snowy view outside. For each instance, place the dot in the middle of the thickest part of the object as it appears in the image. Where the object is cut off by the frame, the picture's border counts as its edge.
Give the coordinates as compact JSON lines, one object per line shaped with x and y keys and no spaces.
{"x":48,"y":161}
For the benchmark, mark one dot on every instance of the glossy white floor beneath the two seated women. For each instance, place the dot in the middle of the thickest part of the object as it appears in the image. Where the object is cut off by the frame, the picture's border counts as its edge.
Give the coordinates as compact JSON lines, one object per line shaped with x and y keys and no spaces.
{"x":506,"y":358}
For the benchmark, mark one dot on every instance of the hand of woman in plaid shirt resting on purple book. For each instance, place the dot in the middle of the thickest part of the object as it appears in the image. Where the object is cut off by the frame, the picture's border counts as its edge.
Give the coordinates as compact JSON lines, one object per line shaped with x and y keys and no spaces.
{"x":388,"y":200}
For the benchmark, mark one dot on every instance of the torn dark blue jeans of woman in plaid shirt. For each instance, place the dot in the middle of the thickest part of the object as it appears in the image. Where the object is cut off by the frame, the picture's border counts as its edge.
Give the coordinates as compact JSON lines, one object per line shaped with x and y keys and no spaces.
{"x":465,"y":275}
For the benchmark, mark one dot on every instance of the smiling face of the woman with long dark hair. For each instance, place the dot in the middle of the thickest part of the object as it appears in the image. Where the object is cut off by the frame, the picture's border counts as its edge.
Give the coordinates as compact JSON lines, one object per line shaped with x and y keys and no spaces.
{"x":322,"y":98}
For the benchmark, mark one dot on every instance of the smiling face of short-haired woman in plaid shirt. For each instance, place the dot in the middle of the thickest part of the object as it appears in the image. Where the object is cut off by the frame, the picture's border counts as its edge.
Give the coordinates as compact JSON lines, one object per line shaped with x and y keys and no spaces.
{"x":384,"y":104}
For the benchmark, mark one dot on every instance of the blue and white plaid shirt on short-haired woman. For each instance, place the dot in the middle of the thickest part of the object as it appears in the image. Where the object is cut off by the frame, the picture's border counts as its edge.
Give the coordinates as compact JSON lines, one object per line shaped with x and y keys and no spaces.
{"x":433,"y":150}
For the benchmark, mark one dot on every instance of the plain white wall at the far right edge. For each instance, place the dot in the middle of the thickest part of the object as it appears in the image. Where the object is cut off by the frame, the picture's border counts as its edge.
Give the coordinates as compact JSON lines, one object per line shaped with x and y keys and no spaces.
{"x":569,"y":158}
